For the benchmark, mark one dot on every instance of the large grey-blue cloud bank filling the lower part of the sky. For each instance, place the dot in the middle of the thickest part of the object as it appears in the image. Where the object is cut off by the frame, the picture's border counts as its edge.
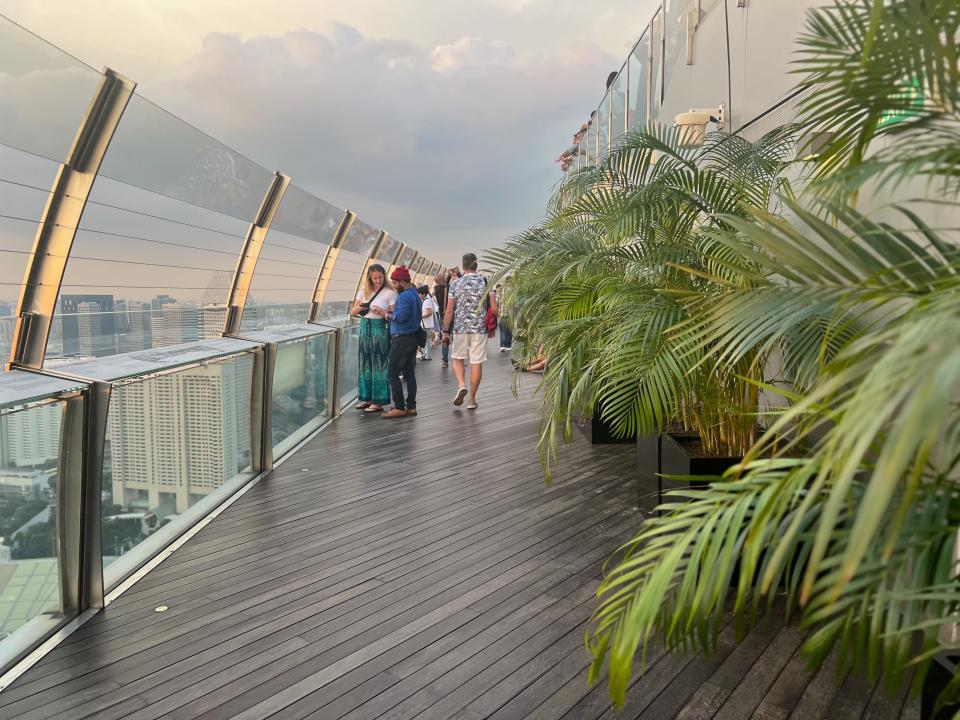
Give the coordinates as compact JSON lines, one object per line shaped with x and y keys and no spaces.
{"x":449,"y":147}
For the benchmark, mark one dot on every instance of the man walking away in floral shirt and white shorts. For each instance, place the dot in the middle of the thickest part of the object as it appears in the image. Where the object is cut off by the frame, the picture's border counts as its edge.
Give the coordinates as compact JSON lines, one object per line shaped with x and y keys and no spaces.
{"x":465,"y":318}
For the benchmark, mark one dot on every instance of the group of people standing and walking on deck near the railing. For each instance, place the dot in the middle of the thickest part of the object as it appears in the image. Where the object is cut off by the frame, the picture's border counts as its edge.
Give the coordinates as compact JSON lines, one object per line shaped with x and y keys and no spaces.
{"x":399,"y":322}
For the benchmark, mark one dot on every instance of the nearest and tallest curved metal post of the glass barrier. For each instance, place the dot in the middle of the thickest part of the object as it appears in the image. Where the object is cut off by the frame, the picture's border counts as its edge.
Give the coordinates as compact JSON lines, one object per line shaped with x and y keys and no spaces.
{"x":61,"y":218}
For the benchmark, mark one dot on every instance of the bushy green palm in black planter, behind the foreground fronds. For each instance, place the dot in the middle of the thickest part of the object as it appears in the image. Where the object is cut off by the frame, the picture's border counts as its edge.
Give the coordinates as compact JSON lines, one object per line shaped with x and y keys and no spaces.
{"x":617,"y":263}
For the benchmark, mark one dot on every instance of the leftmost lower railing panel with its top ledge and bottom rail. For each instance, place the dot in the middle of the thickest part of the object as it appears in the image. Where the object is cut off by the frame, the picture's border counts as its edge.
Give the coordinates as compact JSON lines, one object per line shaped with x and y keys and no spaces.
{"x":32,"y":411}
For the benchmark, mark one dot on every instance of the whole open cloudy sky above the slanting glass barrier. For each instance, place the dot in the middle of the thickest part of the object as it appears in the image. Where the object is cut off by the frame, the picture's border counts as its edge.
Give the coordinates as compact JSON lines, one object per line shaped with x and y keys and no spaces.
{"x":438,"y":120}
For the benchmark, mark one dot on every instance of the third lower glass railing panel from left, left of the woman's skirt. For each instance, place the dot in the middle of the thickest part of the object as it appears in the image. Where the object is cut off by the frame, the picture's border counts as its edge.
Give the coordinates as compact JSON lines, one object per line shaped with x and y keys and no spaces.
{"x":300,"y":383}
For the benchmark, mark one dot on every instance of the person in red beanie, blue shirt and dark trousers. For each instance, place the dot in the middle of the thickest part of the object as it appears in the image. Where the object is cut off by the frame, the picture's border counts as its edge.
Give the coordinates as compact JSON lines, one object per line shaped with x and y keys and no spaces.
{"x":405,"y":320}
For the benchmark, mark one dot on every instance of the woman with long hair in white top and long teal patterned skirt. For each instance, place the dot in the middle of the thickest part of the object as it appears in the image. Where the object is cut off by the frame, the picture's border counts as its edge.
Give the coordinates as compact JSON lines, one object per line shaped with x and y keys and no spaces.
{"x":372,"y":304}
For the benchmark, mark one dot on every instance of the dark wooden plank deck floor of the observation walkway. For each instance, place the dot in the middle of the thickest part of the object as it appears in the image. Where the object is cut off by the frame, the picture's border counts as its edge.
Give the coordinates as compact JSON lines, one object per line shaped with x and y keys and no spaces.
{"x":410,"y":569}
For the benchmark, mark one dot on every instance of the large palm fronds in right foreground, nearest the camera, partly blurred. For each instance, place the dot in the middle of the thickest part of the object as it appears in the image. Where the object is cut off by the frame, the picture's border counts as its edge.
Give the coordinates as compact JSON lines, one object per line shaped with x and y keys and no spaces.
{"x":861,"y":532}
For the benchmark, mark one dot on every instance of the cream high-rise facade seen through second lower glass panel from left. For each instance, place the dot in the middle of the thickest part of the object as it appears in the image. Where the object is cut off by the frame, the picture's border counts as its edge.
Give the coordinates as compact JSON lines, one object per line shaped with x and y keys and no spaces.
{"x":175,"y":438}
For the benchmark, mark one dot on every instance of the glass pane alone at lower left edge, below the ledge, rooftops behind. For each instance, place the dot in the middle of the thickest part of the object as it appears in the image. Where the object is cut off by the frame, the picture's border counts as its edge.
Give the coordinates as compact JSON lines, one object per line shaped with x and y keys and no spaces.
{"x":29,"y":571}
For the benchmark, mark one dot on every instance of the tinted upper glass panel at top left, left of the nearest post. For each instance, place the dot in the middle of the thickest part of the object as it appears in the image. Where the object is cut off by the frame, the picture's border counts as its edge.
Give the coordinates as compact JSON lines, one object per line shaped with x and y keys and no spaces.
{"x":44,"y":93}
